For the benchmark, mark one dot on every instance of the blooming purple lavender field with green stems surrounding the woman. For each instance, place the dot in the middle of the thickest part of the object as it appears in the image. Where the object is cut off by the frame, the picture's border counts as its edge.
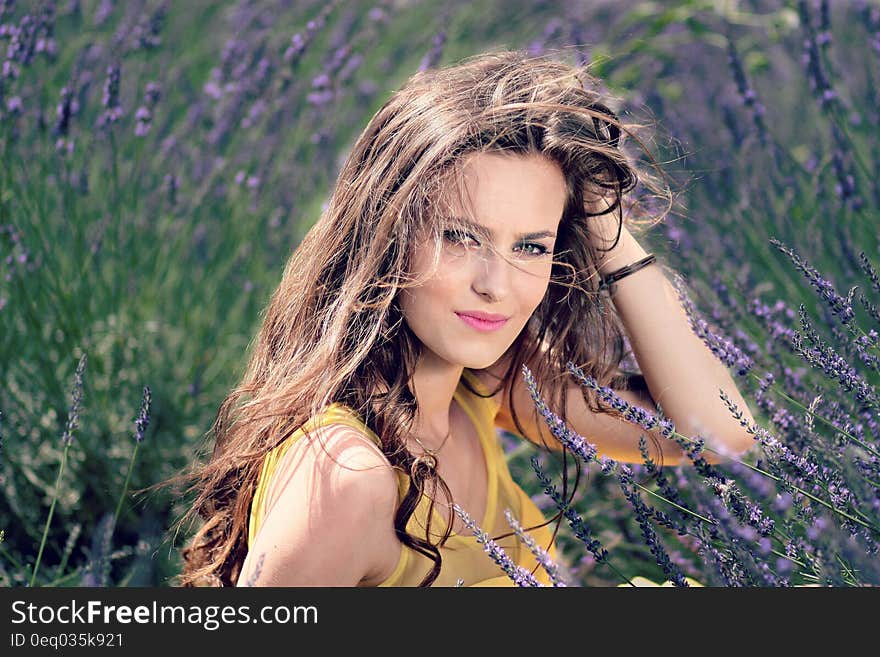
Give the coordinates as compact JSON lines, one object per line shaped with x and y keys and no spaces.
{"x":160,"y":161}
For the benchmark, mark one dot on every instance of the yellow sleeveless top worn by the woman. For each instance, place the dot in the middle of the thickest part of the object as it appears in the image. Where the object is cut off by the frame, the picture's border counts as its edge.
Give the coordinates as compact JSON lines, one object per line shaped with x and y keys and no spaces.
{"x":463,"y":557}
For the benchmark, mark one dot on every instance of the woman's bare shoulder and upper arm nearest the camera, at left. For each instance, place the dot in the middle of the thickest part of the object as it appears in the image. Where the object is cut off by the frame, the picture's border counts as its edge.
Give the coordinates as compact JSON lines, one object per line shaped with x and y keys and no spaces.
{"x":329,"y":514}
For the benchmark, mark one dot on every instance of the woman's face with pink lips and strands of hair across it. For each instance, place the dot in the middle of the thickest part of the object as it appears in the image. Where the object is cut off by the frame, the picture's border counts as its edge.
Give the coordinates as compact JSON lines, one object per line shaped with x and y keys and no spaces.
{"x":501,"y":266}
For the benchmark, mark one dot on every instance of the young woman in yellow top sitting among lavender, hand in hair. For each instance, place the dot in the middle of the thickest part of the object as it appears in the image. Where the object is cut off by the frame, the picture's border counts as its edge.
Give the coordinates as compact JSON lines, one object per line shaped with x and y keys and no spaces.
{"x":478,"y":225}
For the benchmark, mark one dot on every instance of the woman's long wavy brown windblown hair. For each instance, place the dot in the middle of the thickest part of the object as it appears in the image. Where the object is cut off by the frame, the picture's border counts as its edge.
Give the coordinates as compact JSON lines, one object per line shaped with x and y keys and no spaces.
{"x":333,"y":330}
